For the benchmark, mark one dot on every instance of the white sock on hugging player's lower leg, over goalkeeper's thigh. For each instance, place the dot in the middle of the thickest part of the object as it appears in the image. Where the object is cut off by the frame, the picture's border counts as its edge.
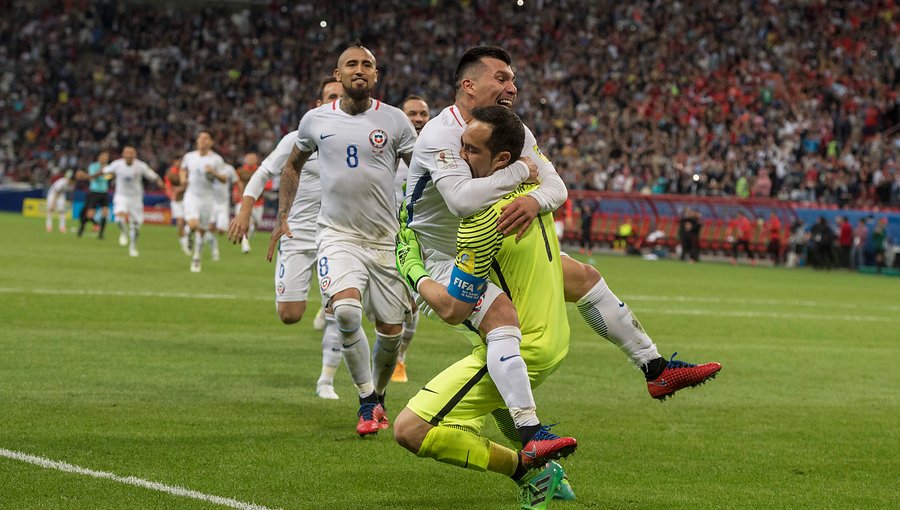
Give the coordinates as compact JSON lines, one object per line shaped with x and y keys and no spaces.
{"x":510,"y":374}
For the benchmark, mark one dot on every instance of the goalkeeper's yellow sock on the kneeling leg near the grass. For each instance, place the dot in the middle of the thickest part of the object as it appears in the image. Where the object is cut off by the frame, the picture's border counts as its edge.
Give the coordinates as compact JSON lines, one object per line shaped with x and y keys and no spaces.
{"x":466,"y":450}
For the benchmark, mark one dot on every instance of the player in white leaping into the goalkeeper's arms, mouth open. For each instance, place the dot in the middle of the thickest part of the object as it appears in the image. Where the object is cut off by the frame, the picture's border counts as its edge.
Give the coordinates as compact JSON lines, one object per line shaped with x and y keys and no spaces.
{"x":440,"y":189}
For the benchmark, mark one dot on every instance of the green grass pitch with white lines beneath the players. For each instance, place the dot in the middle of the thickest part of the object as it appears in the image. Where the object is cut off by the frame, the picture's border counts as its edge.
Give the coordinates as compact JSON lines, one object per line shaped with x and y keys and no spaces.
{"x":139,"y":368}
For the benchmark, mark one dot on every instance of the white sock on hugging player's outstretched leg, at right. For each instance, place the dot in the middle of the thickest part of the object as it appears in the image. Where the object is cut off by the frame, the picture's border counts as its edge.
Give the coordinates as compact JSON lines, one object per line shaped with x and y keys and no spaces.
{"x":613,"y":320}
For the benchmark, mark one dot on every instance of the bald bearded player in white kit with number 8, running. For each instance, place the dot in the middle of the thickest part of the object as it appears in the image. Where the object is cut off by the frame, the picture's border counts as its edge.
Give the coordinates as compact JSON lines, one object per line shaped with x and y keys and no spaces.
{"x":359,"y":141}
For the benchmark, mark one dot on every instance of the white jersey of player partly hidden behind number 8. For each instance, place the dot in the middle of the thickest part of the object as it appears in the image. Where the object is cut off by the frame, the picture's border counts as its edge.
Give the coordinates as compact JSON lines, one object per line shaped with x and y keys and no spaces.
{"x":307,"y":202}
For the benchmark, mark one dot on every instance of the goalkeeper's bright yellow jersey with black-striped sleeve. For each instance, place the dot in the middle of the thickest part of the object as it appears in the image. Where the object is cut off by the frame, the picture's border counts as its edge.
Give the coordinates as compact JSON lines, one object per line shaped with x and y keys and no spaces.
{"x":529,"y":271}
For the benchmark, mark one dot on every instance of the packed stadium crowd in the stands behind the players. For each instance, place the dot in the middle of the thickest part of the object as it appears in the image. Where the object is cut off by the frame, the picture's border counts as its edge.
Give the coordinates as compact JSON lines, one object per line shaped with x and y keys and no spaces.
{"x":750,"y":98}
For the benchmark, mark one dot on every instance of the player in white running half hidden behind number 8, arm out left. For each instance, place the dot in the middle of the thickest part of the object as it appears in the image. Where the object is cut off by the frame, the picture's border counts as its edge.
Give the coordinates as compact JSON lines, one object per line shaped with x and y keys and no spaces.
{"x":297,"y":258}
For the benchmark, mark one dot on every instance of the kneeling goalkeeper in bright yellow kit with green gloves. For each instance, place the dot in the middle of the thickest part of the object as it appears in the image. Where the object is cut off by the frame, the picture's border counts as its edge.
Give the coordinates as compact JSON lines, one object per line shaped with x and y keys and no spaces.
{"x":444,"y":420}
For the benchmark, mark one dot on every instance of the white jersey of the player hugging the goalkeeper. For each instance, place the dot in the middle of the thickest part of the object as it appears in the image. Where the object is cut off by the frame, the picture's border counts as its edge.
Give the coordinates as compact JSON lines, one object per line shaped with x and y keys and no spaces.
{"x":437,"y":156}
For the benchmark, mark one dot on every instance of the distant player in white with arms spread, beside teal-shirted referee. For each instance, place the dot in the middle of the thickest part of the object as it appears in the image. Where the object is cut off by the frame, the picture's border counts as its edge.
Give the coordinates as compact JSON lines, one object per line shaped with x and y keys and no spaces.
{"x":128,"y":201}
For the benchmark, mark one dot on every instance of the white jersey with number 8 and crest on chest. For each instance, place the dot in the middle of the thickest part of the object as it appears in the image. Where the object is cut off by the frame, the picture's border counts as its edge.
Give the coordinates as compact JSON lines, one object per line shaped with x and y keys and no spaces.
{"x":358,"y":156}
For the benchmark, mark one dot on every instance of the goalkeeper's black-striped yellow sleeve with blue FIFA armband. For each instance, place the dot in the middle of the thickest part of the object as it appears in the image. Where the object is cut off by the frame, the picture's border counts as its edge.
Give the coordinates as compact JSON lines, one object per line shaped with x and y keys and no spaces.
{"x":477,"y":243}
